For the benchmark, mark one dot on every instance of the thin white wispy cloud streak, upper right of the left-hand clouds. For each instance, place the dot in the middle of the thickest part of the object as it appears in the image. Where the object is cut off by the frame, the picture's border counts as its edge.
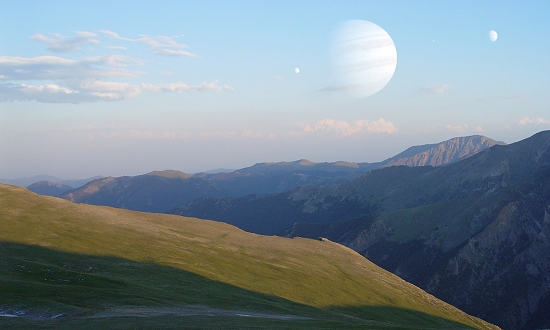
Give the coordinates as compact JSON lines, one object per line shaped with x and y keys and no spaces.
{"x":160,"y":45}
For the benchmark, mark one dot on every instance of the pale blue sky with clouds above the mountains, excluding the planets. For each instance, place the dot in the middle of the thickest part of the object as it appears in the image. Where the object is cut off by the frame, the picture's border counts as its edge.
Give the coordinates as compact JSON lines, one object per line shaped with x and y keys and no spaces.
{"x":127,"y":87}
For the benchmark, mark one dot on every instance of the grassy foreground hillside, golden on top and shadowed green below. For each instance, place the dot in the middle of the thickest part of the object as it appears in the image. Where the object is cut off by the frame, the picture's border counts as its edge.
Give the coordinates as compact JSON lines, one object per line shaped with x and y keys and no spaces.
{"x":71,"y":265}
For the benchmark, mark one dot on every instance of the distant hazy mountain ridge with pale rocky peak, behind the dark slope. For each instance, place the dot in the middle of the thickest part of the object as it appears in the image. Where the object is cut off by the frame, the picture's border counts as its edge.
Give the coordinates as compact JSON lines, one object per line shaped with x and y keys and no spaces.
{"x":162,"y":191}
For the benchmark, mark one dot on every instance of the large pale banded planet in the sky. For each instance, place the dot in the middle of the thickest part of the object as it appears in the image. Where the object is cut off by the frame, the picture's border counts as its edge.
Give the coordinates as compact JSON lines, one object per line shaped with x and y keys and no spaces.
{"x":364,"y":57}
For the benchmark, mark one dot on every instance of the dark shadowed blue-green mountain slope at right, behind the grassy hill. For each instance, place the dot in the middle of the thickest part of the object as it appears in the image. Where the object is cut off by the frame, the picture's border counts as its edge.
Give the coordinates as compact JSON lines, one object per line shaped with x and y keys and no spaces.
{"x":475,"y":232}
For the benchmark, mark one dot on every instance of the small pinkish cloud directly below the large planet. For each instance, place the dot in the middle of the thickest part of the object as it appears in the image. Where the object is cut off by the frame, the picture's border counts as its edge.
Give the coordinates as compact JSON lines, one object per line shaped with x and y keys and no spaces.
{"x":346,"y":129}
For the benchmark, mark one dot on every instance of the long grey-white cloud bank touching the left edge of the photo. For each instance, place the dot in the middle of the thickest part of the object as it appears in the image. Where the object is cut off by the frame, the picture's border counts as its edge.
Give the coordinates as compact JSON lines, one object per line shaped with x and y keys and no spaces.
{"x":71,"y":81}
